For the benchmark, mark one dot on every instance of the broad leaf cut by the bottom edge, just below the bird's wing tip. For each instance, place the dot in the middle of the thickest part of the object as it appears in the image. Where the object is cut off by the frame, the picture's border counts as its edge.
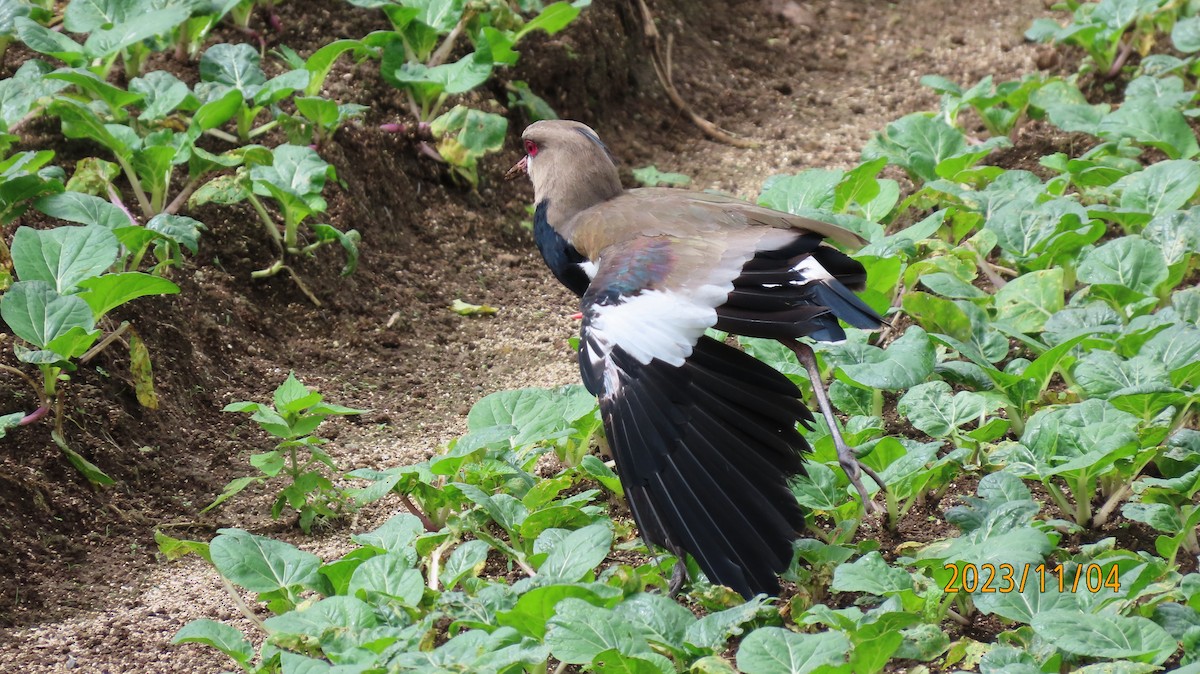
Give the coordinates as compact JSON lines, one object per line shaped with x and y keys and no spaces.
{"x":775,"y":651}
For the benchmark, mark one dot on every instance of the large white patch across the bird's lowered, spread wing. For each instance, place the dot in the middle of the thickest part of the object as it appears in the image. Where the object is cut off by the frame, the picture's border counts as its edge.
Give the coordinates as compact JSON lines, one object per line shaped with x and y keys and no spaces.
{"x":656,"y":324}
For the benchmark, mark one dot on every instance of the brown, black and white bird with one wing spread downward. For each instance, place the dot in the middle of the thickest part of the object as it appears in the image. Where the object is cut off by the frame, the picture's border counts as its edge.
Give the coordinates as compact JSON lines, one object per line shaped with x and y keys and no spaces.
{"x":705,"y":437}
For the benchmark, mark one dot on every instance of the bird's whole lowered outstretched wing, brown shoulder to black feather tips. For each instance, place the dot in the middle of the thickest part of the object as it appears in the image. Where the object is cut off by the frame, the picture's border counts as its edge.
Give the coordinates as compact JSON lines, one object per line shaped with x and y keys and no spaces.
{"x":704,"y":436}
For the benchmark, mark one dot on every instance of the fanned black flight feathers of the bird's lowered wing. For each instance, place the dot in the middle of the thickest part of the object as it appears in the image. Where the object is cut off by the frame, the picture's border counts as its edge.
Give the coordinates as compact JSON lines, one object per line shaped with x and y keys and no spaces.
{"x":706,"y":453}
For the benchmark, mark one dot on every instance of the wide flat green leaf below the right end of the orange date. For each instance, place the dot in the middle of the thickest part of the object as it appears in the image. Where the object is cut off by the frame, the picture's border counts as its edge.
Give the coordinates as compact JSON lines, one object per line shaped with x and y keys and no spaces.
{"x":1106,"y":636}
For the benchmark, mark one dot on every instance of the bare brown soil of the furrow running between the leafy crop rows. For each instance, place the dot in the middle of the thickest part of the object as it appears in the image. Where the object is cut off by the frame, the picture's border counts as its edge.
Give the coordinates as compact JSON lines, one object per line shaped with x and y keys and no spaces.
{"x":82,"y":588}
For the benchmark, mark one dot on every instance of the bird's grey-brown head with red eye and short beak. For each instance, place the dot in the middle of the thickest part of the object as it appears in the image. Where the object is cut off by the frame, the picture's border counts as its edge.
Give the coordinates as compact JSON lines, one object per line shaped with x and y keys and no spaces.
{"x":568,"y":165}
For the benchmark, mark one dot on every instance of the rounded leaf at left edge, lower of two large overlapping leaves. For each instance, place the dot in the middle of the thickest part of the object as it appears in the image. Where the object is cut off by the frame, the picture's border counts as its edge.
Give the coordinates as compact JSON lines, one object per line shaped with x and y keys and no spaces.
{"x":39,"y":315}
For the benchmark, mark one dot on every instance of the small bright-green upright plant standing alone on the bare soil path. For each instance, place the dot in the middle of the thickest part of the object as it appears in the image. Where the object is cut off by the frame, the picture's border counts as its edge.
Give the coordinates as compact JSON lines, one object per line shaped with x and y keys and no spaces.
{"x":293,"y":417}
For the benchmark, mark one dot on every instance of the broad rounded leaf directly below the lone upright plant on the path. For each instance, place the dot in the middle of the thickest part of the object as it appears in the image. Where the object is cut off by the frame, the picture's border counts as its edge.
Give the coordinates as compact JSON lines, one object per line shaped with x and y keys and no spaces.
{"x":263,"y":565}
